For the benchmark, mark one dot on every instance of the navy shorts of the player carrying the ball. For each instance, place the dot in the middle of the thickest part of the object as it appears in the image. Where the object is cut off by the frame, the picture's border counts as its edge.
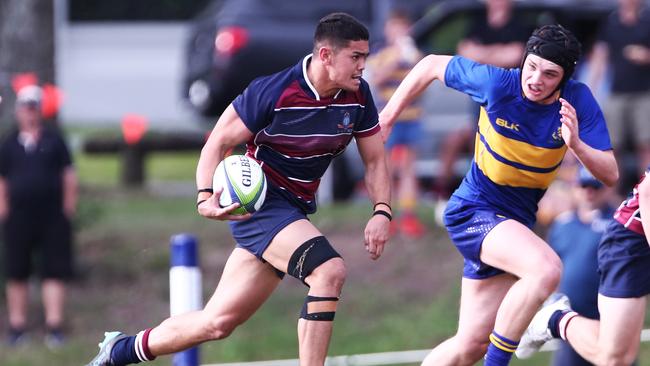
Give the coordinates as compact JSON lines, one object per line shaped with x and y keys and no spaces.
{"x":256,"y":233}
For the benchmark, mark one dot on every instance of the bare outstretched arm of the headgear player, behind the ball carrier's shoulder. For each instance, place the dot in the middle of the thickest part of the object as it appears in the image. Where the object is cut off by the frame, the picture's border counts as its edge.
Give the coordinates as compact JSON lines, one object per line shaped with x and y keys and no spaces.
{"x":430,"y":68}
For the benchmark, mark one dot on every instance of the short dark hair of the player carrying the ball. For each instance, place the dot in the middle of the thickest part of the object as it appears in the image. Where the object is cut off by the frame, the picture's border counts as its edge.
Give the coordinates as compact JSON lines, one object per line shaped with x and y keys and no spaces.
{"x":339,"y":29}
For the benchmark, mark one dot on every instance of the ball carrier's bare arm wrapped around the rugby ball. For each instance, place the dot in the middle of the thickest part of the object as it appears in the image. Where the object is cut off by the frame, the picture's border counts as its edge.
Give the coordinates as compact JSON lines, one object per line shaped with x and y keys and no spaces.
{"x":228,"y":132}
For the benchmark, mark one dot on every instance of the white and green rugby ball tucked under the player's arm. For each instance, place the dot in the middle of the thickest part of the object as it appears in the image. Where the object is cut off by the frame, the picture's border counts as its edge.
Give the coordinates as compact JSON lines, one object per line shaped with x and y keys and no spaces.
{"x":243,"y":182}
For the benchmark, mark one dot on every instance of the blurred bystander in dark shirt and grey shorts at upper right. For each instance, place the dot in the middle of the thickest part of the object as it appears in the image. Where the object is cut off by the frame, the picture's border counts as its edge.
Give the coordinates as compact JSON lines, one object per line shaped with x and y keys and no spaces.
{"x":624,"y":46}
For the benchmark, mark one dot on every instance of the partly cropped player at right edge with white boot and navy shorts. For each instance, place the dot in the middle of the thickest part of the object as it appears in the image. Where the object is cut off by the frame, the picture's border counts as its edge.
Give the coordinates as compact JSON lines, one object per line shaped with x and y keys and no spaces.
{"x":623,"y":262}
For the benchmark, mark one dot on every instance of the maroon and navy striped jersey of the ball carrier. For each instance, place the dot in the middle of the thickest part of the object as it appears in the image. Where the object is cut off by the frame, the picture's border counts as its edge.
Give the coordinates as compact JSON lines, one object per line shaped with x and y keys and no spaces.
{"x":297,"y":133}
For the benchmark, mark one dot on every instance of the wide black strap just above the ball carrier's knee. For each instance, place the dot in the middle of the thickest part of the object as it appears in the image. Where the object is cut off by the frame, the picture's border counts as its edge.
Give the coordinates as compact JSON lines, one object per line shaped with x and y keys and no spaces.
{"x":310,"y":255}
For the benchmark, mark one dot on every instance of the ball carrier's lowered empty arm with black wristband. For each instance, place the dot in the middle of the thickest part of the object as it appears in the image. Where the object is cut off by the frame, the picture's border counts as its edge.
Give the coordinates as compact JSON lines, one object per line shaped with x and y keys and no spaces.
{"x":377,"y":181}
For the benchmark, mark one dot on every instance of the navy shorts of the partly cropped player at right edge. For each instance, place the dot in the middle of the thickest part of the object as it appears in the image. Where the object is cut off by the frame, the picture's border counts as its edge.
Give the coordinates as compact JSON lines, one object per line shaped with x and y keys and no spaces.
{"x":623,"y":263}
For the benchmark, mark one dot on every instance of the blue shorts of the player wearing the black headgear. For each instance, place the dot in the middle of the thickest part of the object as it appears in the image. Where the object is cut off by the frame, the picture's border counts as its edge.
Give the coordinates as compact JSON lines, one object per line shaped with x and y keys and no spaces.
{"x":468,"y":223}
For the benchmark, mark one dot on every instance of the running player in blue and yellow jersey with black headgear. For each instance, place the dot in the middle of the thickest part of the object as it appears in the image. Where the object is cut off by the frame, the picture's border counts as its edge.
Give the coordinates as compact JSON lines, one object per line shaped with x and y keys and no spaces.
{"x":529,"y":118}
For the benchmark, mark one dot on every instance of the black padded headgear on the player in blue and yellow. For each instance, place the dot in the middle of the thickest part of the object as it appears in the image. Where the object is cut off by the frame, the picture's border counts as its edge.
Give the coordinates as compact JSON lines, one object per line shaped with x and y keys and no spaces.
{"x":556,"y":44}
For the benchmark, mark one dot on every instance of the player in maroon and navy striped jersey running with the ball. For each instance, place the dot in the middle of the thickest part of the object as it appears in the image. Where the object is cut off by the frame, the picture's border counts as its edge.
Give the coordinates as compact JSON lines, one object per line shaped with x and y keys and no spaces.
{"x":294,"y":123}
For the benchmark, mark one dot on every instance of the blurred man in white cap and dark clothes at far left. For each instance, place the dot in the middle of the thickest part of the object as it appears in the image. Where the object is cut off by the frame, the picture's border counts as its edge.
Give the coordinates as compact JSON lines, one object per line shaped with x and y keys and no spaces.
{"x":38,"y":189}
